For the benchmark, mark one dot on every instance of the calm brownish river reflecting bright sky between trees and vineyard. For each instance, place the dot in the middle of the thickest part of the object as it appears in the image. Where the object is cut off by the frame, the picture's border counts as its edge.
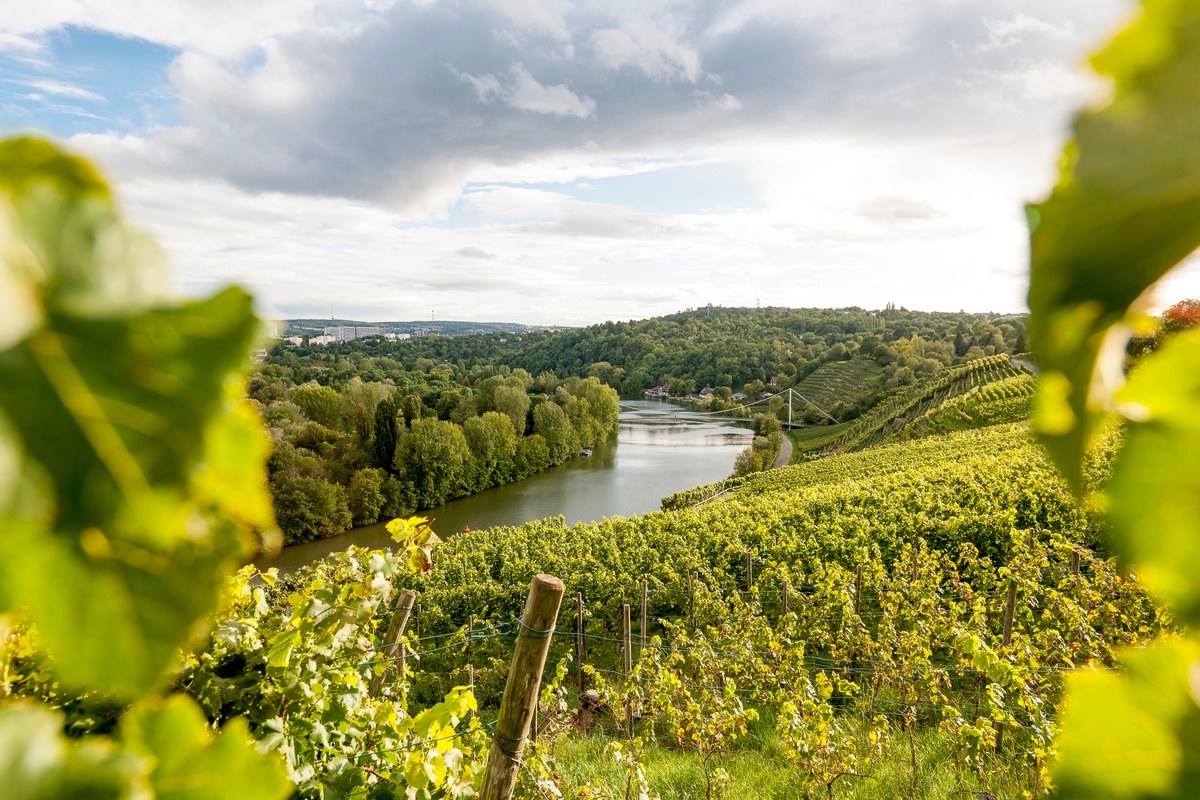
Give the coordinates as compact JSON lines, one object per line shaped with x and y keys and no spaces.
{"x":661,"y":449}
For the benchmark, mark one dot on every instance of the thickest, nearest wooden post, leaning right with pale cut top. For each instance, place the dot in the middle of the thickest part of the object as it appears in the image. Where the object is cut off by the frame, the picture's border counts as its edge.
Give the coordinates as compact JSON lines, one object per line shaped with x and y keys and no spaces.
{"x":520,"y":696}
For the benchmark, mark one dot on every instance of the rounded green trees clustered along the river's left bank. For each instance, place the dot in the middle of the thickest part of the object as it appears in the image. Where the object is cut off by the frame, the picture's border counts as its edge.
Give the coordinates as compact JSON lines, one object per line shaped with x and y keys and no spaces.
{"x":359,"y":450}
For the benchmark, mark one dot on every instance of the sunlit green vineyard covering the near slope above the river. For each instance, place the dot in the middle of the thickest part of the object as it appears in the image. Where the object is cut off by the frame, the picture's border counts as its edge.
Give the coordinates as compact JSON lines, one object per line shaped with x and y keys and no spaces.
{"x":831,"y":615}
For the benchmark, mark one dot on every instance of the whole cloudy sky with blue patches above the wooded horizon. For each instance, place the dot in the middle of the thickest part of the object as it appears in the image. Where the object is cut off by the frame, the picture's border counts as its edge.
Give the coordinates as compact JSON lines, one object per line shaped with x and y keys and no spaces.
{"x":566,"y":164}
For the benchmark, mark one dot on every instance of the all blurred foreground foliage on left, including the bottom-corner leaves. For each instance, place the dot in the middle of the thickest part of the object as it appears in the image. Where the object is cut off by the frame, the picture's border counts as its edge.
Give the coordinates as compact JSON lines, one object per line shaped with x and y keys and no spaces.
{"x":133,"y":484}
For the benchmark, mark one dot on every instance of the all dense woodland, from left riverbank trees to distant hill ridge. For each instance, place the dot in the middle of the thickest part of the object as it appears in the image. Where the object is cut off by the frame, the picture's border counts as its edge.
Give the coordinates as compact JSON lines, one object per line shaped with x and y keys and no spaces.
{"x":376,"y":429}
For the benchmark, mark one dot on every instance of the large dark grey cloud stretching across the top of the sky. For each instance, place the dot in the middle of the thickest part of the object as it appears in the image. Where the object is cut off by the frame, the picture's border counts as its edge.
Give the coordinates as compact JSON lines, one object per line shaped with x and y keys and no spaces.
{"x":407,"y":103}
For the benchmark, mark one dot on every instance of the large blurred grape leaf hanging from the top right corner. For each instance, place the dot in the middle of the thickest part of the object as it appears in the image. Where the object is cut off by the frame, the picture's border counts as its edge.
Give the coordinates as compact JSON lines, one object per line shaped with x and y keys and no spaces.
{"x":1125,"y":212}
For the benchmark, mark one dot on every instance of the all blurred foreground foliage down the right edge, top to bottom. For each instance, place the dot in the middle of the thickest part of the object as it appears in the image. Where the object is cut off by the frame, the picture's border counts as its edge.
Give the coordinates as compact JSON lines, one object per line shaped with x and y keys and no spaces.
{"x":1125,"y":212}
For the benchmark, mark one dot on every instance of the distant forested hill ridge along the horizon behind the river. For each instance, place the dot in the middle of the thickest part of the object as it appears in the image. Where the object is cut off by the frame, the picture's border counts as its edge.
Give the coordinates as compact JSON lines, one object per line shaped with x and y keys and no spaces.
{"x":741,"y":350}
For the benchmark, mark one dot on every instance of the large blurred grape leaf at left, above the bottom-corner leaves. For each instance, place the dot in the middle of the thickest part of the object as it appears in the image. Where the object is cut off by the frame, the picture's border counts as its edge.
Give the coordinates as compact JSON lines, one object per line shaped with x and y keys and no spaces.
{"x":140,"y":478}
